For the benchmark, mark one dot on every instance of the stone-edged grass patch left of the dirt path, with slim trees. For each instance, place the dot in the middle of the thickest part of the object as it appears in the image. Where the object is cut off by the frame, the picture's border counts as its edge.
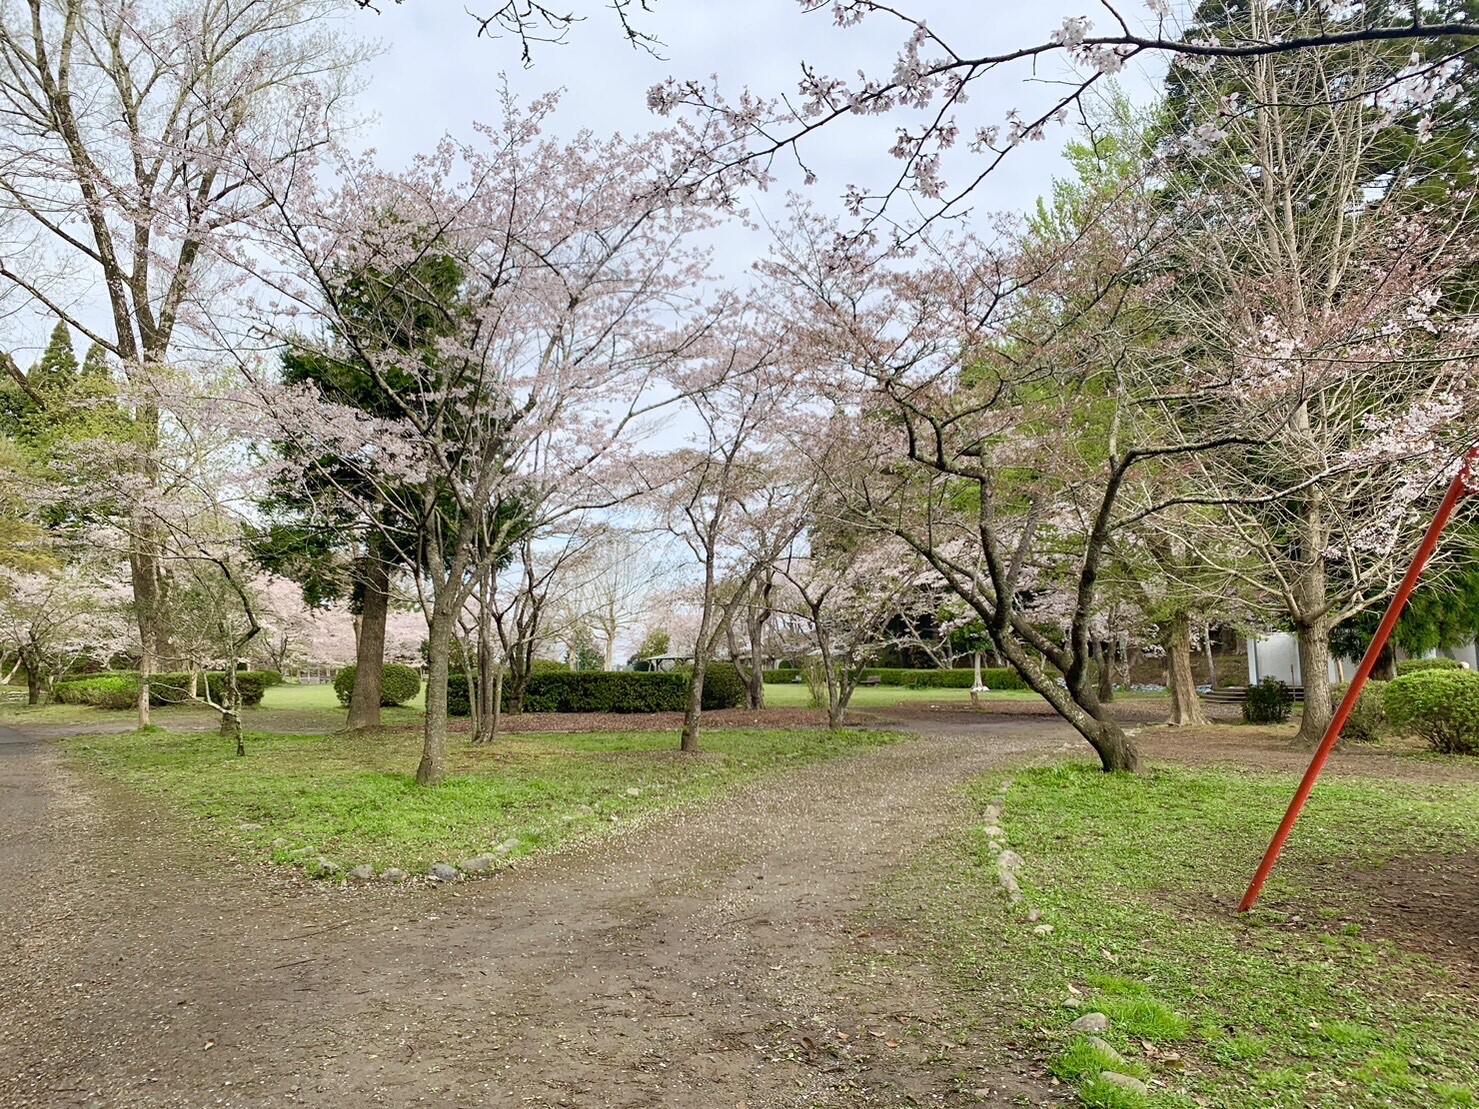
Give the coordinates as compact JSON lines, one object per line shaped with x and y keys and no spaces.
{"x":353,"y":801}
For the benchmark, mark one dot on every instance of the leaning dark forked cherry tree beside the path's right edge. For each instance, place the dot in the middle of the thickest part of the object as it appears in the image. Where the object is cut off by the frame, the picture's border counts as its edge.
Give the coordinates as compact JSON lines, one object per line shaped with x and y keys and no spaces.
{"x":1004,"y":394}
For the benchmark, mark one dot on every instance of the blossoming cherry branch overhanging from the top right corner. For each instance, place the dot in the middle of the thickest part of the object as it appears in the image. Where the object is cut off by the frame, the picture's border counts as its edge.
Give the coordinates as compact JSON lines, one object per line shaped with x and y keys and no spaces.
{"x":944,"y":149}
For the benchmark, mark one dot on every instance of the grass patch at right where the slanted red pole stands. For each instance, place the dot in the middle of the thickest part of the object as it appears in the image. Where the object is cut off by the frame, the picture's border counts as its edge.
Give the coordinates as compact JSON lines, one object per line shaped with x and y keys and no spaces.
{"x":1302,"y":1003}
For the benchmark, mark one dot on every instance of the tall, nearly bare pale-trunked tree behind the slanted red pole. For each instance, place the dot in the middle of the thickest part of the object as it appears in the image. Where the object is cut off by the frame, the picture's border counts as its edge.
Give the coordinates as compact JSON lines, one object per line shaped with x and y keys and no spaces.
{"x":1327,"y":311}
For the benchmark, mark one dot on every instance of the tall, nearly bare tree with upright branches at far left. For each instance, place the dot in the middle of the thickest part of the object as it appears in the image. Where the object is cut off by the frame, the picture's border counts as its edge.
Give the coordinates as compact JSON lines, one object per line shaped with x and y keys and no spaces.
{"x":131,"y":141}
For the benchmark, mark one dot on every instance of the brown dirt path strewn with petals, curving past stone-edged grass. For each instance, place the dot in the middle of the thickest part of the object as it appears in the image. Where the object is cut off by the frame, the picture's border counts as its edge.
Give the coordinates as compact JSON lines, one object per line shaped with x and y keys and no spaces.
{"x":683,"y":965}
